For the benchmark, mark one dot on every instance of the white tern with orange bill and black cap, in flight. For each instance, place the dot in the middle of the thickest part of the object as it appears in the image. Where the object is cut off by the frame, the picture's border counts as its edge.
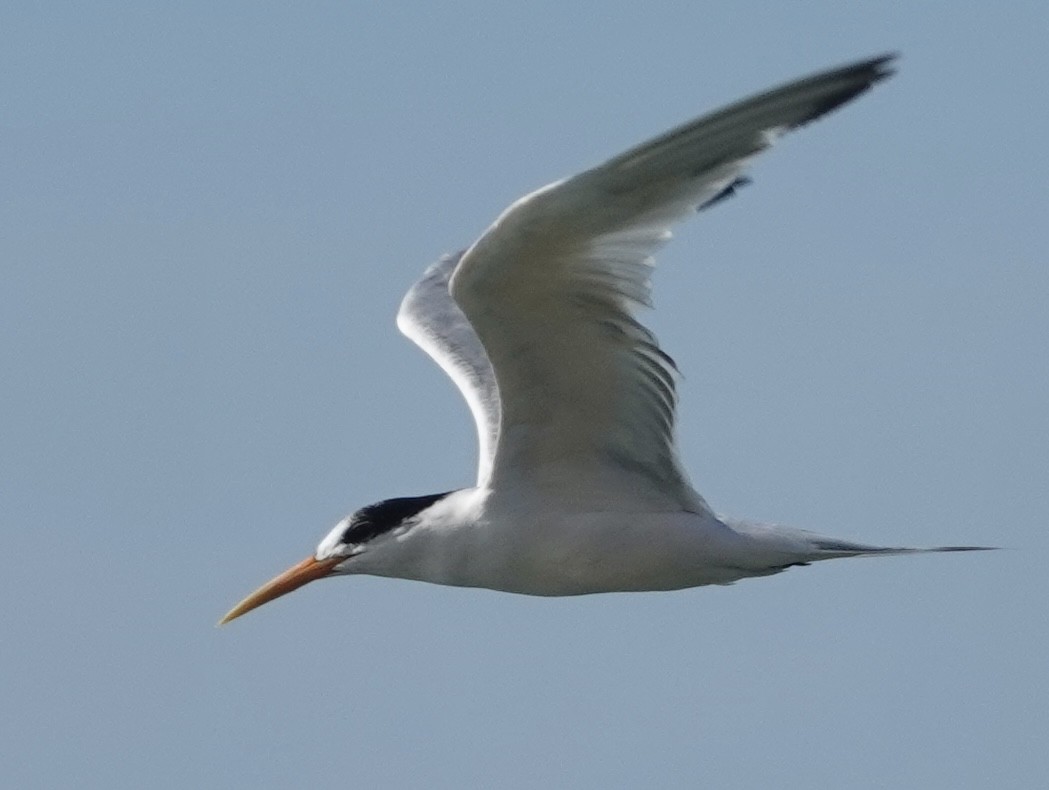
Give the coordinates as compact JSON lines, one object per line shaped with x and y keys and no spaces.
{"x":581,"y":488}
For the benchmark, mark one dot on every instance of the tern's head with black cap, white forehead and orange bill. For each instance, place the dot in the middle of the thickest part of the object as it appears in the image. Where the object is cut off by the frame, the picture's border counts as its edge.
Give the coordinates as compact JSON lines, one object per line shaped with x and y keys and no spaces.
{"x":340,"y":551}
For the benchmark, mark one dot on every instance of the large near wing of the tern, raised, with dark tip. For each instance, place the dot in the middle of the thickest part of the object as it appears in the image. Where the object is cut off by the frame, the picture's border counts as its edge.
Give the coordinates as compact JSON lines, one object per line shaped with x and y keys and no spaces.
{"x":587,"y":397}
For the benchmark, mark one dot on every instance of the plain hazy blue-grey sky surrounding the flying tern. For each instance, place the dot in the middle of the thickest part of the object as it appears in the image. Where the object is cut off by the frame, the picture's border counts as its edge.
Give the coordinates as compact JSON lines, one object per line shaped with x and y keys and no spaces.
{"x":208,"y":217}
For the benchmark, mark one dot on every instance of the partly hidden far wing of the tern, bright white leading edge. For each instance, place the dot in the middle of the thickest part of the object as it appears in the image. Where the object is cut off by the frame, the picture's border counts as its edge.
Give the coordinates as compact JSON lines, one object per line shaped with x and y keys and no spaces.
{"x":432,"y":319}
